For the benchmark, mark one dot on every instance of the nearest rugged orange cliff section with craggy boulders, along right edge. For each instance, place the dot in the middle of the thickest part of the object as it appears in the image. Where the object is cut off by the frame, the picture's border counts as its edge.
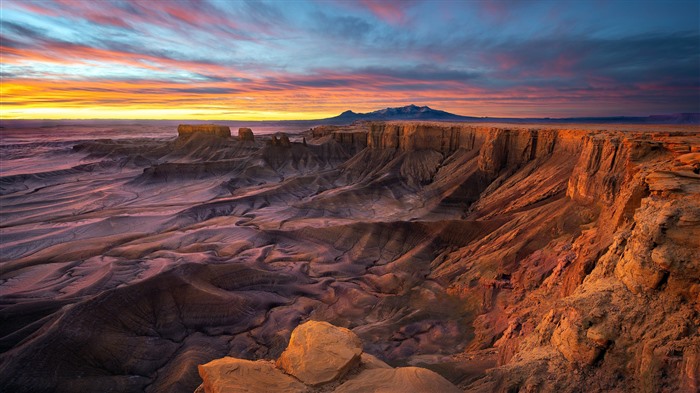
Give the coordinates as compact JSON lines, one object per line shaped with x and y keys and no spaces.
{"x":622,"y":301}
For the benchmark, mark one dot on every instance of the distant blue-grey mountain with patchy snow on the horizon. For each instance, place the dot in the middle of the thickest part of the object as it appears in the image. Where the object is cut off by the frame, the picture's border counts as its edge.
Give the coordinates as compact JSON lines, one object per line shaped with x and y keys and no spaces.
{"x":409,"y":112}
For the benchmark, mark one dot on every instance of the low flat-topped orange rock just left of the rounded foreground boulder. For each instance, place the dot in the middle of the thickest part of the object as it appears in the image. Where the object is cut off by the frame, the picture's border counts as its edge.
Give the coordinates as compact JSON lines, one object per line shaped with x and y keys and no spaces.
{"x":232,"y":375}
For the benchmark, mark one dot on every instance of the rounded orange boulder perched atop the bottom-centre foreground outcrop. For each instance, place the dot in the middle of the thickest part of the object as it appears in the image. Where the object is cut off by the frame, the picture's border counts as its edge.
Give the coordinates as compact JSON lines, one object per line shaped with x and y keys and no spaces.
{"x":319,"y":352}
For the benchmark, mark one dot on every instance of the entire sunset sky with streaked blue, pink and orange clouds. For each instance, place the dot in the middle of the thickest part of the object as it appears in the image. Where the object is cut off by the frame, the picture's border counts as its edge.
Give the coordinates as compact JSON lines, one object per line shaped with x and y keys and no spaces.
{"x":272,"y":60}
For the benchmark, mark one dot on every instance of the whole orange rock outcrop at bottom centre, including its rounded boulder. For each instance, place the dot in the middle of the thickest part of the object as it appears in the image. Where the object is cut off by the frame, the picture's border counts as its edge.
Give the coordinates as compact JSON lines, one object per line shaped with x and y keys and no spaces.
{"x":320,"y":357}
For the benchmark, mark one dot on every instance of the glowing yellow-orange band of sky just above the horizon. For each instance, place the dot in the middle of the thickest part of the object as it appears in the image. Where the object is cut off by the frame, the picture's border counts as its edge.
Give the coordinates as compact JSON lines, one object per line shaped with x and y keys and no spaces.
{"x":162,"y":100}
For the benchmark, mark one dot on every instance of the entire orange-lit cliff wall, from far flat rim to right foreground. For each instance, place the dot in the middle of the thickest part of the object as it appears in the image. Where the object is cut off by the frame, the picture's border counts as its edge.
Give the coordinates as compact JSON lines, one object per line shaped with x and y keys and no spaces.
{"x":592,"y":264}
